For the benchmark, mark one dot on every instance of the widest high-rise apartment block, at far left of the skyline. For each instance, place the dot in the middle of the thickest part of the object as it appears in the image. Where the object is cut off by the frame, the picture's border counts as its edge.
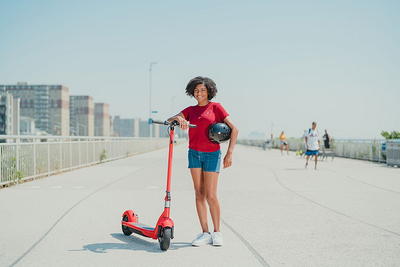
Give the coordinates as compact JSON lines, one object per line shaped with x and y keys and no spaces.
{"x":46,"y":104}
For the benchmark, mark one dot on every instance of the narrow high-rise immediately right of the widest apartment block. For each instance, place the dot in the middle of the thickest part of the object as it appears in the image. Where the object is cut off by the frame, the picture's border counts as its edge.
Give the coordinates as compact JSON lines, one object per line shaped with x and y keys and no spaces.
{"x":81,"y":115}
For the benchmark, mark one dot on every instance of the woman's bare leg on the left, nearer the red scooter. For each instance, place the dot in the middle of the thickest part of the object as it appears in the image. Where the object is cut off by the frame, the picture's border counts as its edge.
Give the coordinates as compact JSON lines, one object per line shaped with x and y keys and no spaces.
{"x":199,"y":188}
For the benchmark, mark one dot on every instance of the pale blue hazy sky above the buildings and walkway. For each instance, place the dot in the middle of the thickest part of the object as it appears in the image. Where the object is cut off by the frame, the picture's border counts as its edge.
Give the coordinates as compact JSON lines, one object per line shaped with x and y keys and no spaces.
{"x":278,"y":65}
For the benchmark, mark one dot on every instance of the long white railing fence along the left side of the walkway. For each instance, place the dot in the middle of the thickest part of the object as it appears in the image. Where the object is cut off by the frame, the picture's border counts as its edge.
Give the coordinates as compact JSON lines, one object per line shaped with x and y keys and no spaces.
{"x":27,"y":157}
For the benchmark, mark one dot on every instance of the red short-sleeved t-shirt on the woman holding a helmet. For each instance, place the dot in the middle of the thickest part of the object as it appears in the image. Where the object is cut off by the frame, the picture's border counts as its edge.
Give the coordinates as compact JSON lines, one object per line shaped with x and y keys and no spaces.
{"x":203,"y":117}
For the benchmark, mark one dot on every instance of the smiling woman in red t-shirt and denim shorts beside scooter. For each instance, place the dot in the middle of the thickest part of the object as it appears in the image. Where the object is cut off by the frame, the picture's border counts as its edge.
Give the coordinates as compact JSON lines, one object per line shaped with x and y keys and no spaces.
{"x":205,"y":155}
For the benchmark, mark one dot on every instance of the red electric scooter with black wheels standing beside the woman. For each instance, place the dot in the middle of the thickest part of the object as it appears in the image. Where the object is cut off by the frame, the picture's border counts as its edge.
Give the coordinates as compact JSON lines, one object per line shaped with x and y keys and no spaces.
{"x":164,"y":229}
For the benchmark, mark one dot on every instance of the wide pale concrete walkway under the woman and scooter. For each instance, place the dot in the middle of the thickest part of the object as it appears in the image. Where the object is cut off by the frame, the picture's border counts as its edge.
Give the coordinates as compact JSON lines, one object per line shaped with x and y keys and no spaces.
{"x":275,"y":213}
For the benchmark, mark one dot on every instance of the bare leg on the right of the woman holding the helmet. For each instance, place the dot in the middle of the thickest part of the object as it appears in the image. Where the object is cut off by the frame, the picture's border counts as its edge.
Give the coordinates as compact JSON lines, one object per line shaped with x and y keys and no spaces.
{"x":210,"y":185}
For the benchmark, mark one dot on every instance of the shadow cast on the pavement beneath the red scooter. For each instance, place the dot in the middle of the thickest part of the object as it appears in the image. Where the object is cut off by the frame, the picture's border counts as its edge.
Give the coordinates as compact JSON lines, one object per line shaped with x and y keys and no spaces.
{"x":132,"y":243}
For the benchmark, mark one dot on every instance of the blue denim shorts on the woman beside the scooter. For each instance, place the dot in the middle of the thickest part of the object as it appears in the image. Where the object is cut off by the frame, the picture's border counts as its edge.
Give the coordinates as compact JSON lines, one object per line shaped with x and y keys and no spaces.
{"x":208,"y":161}
